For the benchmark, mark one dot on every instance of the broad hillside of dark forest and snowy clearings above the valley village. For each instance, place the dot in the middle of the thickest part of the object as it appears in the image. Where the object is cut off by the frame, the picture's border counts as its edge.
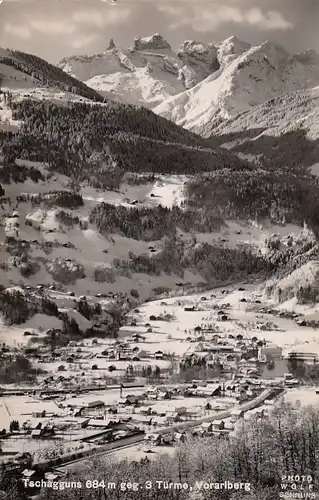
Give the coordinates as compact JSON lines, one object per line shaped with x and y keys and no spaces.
{"x":156,"y":201}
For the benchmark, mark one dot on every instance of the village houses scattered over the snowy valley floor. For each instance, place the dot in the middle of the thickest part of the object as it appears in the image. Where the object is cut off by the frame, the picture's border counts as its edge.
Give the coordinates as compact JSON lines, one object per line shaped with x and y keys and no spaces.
{"x":166,"y":414}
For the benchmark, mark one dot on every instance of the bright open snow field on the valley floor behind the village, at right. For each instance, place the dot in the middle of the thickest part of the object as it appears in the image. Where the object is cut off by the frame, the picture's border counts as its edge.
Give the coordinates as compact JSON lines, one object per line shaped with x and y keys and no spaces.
{"x":244,"y":317}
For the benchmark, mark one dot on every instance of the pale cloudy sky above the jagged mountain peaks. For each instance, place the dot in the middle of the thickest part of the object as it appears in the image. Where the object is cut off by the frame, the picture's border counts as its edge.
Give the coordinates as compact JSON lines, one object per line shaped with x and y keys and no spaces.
{"x":53,"y":29}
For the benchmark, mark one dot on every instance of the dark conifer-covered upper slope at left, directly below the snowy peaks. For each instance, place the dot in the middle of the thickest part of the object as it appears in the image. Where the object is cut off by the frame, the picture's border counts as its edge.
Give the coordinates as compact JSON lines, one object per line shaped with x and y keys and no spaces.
{"x":93,"y":140}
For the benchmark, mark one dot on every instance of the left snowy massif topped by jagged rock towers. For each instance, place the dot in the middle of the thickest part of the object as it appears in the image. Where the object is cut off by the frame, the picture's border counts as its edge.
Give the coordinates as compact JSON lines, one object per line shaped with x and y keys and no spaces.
{"x":147,"y":72}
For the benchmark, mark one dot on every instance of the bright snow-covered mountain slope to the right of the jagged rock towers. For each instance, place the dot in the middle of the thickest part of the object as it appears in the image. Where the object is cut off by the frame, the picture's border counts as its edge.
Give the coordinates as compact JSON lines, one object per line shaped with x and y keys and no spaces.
{"x":245,"y":80}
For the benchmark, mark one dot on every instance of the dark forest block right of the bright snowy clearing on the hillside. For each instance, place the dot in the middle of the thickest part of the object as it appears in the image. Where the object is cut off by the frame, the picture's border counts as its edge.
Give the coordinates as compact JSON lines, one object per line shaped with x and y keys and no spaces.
{"x":256,"y":194}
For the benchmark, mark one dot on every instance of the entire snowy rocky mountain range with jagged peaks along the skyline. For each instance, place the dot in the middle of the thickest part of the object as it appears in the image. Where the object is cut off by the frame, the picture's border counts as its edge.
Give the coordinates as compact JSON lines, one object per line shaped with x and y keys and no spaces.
{"x":201,"y":84}
